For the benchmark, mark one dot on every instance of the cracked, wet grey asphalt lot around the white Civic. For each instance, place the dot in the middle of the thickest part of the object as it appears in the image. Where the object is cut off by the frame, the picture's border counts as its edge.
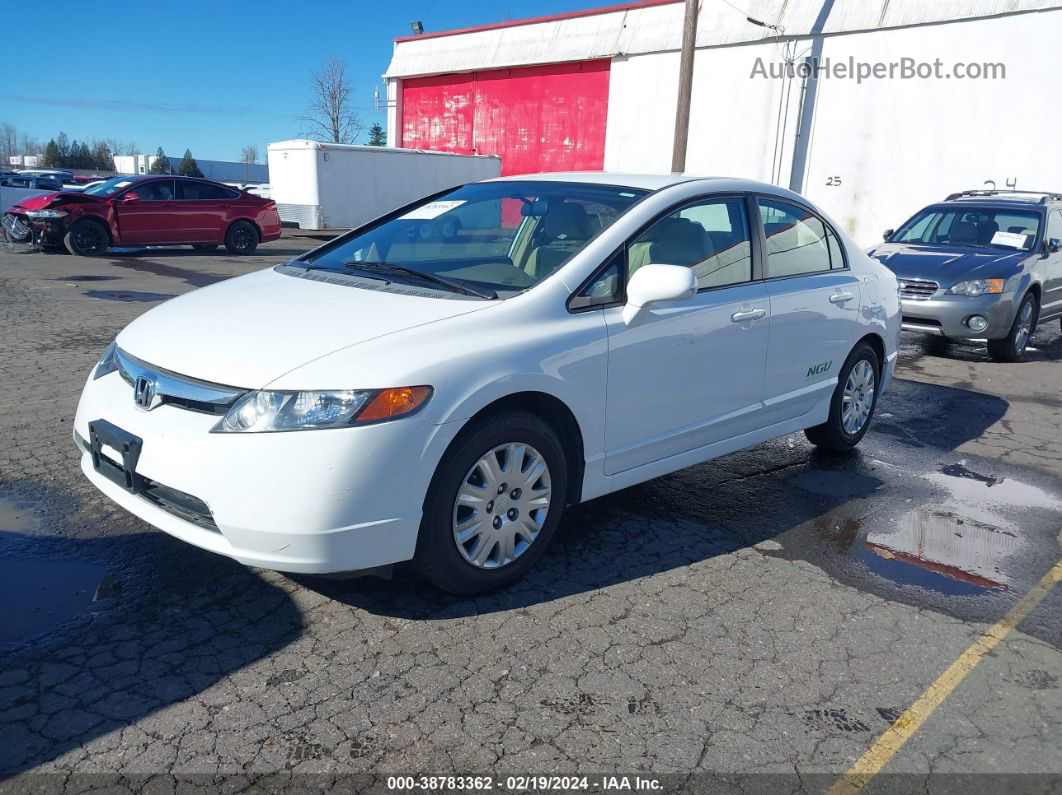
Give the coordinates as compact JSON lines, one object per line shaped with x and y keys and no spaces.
{"x":759,"y":620}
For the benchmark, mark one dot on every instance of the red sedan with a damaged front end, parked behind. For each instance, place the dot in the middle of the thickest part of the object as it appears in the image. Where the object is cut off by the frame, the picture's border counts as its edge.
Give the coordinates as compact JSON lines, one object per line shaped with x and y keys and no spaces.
{"x":149,"y":211}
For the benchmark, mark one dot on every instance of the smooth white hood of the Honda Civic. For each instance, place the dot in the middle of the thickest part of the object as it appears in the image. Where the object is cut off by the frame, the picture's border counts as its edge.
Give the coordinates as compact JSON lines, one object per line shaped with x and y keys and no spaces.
{"x":250,"y":331}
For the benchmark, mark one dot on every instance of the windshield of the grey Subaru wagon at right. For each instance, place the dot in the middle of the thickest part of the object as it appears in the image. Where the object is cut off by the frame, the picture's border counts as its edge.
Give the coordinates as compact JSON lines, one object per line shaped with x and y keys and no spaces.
{"x":968,"y":227}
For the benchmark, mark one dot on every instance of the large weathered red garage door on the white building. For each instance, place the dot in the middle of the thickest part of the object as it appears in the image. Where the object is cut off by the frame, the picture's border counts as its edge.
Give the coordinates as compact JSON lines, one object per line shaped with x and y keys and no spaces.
{"x":538,"y":118}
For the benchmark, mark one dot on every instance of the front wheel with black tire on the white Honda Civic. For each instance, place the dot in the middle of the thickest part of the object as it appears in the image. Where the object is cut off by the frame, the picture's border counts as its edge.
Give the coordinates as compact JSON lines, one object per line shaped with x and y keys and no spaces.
{"x":484,"y":561}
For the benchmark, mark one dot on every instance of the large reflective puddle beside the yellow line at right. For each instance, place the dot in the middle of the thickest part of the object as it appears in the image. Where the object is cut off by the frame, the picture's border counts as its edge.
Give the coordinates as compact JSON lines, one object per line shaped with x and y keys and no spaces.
{"x":961,"y":531}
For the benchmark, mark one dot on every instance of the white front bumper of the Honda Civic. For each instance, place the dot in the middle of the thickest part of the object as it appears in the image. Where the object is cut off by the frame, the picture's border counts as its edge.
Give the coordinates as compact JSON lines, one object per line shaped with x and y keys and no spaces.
{"x":305,"y":502}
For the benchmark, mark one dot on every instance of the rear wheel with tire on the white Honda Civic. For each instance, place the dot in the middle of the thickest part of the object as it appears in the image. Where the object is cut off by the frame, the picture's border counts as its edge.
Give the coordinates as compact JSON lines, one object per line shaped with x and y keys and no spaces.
{"x":844,"y":430}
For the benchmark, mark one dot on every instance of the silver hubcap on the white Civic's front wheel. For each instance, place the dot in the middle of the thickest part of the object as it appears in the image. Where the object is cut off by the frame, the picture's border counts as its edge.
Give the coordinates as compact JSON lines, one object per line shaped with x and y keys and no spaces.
{"x":502,"y":506}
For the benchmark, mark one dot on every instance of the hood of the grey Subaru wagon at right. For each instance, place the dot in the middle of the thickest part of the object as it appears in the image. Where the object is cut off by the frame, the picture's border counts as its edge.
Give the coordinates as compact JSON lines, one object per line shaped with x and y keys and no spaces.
{"x":948,"y":265}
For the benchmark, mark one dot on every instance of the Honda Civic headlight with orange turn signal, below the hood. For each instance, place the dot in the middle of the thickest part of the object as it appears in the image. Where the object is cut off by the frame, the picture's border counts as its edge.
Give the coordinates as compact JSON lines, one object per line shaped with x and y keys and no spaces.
{"x":266,"y":412}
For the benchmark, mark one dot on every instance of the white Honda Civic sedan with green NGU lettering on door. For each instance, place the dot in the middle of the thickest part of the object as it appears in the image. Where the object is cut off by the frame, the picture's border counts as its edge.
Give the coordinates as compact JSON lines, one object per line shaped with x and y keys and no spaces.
{"x":439,"y":385}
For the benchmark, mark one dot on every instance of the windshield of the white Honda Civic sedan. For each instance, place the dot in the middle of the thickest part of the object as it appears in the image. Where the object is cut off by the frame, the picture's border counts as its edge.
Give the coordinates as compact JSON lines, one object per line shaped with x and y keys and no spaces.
{"x":504,"y":237}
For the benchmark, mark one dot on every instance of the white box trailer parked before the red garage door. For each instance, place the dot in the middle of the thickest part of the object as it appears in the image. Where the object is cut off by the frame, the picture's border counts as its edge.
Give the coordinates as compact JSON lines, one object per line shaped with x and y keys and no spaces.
{"x":337,"y":186}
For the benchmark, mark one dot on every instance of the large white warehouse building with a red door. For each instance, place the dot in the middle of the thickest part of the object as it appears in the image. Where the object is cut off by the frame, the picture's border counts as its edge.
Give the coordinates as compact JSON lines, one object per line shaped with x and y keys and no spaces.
{"x":597,"y":90}
